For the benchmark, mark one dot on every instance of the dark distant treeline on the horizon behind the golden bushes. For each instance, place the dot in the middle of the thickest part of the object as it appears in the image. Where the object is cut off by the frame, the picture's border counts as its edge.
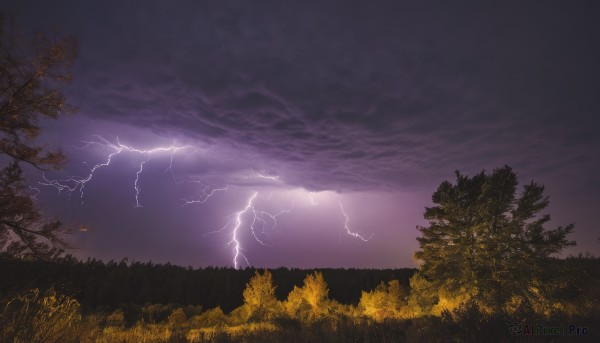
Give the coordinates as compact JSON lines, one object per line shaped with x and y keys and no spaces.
{"x":105,"y":286}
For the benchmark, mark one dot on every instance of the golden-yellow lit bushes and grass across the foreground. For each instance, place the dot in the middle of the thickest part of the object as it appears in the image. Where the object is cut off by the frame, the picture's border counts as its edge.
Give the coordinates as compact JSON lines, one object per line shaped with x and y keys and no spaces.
{"x":382,"y":315}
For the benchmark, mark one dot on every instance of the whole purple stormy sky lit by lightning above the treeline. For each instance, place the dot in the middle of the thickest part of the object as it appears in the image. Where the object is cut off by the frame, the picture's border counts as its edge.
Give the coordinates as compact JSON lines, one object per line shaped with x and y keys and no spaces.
{"x":331,"y":123}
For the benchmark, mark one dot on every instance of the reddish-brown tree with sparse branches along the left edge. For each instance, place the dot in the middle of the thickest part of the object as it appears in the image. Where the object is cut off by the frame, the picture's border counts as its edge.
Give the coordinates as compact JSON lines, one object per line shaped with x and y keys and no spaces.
{"x":32,"y":74}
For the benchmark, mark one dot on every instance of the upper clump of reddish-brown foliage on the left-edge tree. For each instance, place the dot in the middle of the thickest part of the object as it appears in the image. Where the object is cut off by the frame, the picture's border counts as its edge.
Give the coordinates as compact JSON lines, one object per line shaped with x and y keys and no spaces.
{"x":33,"y":73}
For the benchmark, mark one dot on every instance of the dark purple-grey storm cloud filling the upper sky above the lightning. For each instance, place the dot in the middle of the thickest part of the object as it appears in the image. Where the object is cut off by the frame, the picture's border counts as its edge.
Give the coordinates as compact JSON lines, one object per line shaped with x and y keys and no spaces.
{"x":347,"y":96}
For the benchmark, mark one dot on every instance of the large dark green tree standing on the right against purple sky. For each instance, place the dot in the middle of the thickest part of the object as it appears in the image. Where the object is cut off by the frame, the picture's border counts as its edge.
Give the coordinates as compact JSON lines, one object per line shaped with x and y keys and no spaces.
{"x":484,"y":242}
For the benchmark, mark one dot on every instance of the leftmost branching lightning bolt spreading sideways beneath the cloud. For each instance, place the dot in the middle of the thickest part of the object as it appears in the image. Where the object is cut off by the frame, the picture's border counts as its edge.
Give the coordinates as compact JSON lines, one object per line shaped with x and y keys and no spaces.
{"x":75,"y":183}
